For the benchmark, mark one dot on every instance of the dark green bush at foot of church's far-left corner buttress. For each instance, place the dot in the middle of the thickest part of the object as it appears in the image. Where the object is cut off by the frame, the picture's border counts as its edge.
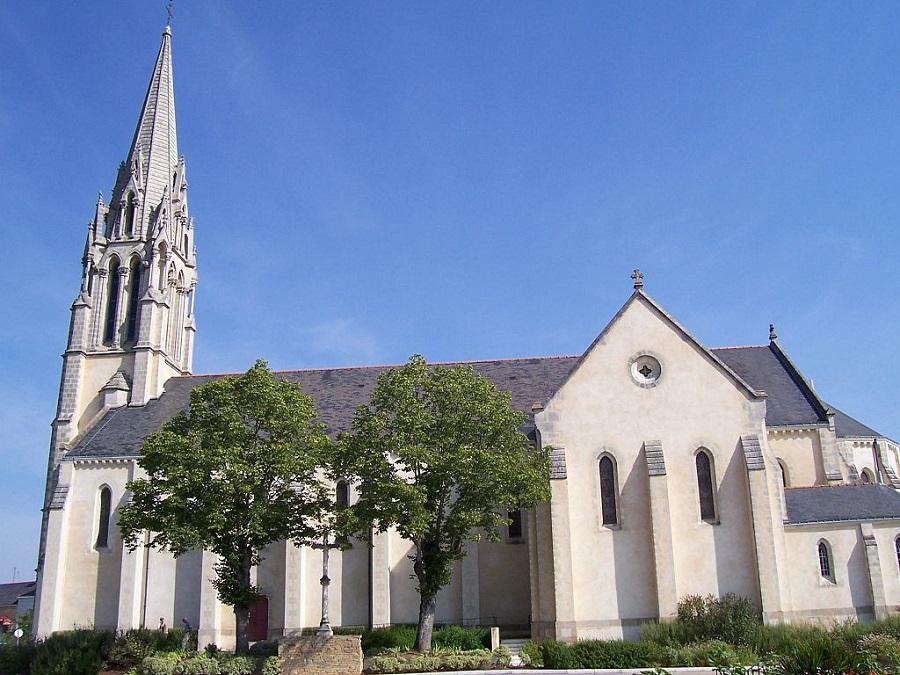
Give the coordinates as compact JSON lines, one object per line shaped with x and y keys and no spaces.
{"x":77,"y":652}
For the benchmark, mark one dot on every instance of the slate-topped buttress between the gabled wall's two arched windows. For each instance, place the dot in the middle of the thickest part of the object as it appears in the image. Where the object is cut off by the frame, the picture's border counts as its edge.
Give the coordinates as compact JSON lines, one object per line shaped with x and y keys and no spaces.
{"x":661,"y":530}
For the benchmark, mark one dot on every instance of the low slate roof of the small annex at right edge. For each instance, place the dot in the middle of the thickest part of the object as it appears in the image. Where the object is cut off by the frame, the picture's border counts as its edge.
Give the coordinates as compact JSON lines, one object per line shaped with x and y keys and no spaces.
{"x":827,"y":504}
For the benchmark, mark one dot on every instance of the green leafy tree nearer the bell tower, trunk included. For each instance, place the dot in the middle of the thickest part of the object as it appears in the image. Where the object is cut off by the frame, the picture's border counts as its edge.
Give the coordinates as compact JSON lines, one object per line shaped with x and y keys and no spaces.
{"x":243,"y":468}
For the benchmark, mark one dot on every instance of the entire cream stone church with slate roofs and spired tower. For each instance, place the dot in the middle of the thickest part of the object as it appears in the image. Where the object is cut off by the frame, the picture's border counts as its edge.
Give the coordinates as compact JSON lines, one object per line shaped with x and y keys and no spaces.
{"x":677,"y":469}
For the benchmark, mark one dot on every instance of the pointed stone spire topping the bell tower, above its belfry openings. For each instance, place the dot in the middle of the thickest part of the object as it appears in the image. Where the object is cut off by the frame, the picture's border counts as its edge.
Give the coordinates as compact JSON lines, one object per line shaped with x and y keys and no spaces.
{"x":153,"y":156}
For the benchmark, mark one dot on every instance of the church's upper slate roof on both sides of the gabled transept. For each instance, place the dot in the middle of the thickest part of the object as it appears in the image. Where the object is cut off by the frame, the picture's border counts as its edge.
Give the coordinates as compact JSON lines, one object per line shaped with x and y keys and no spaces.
{"x":337,"y":393}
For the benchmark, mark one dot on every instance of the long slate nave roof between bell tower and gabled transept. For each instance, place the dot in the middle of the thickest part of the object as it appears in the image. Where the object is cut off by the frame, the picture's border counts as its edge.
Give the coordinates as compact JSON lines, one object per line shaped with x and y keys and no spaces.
{"x":337,"y":393}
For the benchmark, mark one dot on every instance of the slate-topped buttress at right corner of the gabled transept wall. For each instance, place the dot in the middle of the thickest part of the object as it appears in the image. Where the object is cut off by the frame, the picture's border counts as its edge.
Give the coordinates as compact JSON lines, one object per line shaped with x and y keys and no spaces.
{"x":763,"y":514}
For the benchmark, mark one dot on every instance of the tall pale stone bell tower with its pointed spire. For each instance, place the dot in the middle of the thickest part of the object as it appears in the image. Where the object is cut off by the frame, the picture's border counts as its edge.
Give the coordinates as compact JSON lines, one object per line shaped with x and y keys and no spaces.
{"x":132,"y":324}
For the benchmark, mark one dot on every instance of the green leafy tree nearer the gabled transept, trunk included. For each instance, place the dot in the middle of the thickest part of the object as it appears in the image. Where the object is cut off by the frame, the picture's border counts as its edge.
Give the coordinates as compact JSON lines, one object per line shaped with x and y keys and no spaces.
{"x":437,"y":455}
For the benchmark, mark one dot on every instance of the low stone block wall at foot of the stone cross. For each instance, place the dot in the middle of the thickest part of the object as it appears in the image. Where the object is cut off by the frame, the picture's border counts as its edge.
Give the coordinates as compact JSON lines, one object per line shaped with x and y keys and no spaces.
{"x":313,"y":655}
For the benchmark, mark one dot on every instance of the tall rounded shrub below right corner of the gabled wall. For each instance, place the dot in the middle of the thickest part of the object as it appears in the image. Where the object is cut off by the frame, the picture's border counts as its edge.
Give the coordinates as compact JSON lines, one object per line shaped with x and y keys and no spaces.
{"x":729,"y":618}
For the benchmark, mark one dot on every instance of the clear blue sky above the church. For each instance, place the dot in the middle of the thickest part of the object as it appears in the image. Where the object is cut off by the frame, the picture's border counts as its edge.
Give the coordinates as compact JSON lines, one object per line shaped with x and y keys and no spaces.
{"x":465,"y":180}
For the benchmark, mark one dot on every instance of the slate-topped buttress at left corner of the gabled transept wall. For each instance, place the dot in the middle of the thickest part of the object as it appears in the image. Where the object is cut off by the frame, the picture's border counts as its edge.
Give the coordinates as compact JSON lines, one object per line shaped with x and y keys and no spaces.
{"x":564,"y":627}
